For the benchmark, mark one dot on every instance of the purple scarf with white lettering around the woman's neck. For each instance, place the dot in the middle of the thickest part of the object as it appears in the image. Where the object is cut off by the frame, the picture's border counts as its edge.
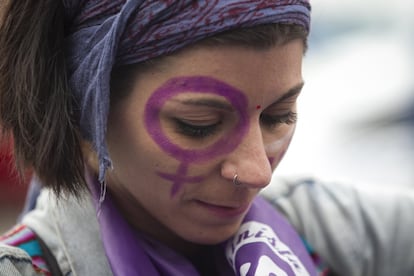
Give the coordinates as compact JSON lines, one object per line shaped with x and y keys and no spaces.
{"x":266,"y":244}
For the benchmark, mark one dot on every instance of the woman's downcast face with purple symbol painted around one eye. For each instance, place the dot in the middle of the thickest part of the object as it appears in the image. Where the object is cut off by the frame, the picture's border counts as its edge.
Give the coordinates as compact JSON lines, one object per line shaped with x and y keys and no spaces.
{"x":186,"y":129}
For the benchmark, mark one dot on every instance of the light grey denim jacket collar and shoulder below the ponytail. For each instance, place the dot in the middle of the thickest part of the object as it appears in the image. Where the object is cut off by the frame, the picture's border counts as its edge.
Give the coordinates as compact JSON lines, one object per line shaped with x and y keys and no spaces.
{"x":70,"y":230}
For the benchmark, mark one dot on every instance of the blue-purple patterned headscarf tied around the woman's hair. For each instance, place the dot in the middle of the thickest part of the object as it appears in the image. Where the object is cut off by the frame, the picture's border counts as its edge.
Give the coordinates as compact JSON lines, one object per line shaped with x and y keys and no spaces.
{"x":101,"y":34}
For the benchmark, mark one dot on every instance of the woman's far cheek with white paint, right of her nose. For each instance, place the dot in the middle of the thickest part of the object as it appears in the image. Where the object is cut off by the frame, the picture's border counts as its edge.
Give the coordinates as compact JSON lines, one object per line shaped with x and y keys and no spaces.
{"x":276,"y":149}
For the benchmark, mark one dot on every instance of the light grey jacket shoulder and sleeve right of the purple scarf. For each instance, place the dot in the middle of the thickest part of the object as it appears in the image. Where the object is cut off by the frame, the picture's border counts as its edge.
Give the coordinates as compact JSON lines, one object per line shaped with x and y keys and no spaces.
{"x":364,"y":231}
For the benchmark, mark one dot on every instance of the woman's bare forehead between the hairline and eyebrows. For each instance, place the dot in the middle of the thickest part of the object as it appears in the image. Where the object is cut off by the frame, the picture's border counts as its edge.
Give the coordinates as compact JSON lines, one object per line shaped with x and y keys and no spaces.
{"x":249,"y":70}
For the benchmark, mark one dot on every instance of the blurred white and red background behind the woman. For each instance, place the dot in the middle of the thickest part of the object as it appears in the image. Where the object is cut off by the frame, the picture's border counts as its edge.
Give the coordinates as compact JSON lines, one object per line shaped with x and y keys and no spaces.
{"x":356,"y":112}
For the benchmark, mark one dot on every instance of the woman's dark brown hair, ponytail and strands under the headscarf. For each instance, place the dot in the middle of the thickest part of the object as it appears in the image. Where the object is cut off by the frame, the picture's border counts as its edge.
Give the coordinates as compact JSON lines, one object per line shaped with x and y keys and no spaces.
{"x":36,"y":106}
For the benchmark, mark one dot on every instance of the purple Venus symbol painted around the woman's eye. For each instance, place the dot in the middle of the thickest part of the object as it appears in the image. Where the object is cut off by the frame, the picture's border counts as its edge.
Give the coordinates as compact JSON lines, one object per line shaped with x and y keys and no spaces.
{"x":201,"y":85}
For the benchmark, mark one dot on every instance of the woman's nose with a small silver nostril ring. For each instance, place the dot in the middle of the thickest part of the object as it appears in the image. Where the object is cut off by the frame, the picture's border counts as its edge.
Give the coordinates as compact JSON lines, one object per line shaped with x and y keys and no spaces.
{"x":249,"y":161}
